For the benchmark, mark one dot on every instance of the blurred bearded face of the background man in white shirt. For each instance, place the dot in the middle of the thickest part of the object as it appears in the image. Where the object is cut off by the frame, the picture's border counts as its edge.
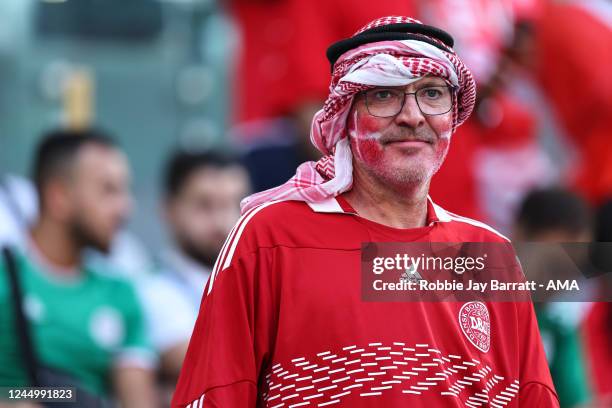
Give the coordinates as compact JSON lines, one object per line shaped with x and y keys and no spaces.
{"x":205,"y":209}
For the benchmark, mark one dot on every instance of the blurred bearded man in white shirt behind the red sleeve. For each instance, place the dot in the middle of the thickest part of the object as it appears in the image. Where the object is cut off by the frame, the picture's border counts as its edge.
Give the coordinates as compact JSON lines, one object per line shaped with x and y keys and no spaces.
{"x":201,"y":204}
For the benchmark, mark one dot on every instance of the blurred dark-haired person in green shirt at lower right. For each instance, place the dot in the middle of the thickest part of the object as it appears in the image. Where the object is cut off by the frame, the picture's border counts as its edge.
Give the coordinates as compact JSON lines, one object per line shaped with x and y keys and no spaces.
{"x":558,"y":216}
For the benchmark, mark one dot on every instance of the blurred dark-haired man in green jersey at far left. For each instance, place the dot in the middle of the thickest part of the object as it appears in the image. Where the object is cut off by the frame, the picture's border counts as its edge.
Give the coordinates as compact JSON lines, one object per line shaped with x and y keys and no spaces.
{"x":85,"y":326}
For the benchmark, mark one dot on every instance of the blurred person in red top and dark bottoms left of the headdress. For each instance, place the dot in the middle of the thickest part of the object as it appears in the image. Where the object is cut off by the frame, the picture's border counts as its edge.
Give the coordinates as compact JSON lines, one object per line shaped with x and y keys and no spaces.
{"x":282,"y":73}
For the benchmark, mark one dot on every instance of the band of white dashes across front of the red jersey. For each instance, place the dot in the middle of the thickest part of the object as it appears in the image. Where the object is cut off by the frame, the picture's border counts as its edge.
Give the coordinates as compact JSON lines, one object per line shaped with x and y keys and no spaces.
{"x":328,"y":377}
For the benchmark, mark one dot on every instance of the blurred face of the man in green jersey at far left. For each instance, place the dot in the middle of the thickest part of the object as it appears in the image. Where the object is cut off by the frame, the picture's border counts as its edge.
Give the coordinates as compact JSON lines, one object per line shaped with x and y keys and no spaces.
{"x":100,"y":200}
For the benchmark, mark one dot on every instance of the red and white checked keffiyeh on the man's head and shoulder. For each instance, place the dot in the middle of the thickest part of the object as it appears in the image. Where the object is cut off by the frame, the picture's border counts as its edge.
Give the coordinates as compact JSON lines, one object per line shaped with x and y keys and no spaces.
{"x":384,"y":63}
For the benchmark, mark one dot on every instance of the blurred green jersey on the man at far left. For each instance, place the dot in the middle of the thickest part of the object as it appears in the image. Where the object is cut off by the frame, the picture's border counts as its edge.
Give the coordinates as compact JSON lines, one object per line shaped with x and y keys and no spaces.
{"x":81,"y":326}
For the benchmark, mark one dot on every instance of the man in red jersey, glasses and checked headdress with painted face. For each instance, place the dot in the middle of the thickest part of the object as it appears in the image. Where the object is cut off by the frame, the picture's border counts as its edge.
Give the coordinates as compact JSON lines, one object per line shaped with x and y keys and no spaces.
{"x":282,"y":322}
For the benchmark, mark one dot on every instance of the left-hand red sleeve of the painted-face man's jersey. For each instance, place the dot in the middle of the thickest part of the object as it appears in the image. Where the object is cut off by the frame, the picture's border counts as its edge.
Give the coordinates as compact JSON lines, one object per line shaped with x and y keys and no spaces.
{"x":232,"y":337}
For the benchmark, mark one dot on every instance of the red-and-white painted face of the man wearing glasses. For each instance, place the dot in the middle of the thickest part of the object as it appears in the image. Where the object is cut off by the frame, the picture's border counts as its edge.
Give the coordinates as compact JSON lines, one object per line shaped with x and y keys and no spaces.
{"x":405,"y":149}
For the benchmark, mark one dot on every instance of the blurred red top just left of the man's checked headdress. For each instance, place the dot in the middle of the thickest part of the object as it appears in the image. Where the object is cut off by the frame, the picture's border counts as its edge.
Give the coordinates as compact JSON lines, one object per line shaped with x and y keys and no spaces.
{"x":281,"y":63}
